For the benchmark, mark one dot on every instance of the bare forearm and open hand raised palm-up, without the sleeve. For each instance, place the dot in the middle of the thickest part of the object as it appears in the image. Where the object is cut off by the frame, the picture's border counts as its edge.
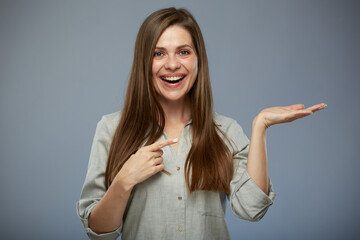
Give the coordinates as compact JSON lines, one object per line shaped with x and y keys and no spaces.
{"x":257,"y":166}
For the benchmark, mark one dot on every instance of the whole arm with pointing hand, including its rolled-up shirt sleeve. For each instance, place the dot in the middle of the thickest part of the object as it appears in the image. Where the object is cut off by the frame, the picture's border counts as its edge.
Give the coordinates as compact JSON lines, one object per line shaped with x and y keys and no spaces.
{"x":100,"y":210}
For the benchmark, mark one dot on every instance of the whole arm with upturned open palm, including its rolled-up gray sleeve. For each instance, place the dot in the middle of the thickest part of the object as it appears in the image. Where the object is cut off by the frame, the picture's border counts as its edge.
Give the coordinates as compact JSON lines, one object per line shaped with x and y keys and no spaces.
{"x":251,"y":189}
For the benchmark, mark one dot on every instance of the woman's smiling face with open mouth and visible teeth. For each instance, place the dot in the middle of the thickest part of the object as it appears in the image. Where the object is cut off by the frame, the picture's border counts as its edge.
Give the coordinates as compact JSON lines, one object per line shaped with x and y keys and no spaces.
{"x":175,"y":64}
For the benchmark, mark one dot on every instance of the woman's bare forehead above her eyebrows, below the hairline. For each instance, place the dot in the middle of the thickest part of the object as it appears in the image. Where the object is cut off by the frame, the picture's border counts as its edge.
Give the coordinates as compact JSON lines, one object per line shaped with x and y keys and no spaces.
{"x":174,"y":36}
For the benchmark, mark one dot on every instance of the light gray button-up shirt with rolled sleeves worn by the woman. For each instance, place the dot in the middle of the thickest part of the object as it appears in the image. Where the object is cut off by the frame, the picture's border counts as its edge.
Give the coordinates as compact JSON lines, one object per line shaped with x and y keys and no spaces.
{"x":161,"y":207}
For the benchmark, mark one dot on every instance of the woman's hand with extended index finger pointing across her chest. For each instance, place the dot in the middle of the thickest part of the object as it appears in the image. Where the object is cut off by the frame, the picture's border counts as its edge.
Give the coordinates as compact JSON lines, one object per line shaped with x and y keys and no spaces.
{"x":146,"y":162}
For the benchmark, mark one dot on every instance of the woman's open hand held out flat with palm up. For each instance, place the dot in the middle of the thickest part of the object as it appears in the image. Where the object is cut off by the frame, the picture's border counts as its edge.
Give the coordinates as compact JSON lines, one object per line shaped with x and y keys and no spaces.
{"x":275,"y":115}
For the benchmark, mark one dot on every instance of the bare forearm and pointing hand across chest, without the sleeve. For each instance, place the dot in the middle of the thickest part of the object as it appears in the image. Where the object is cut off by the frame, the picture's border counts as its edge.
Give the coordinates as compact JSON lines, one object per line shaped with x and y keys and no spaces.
{"x":107,"y":215}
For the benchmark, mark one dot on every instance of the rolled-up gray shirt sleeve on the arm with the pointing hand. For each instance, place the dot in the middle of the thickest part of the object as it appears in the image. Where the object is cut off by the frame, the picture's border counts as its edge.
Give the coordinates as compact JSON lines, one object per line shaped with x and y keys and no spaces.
{"x":94,"y":185}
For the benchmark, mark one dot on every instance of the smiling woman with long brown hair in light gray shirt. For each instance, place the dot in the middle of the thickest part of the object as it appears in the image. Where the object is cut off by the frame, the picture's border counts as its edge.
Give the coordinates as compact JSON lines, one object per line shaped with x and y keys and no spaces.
{"x":163,"y":167}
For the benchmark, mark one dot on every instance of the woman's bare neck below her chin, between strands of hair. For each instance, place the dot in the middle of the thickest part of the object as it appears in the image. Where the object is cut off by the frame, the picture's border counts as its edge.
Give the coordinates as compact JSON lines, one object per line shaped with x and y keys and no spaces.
{"x":176,"y":111}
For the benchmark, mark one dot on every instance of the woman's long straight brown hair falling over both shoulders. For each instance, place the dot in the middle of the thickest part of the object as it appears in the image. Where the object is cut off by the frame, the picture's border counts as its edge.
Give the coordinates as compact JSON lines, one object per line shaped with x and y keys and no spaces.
{"x":209,"y":163}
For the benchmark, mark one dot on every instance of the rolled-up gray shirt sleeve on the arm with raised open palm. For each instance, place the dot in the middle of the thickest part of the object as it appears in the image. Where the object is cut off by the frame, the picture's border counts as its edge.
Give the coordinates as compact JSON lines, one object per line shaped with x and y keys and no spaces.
{"x":247,"y":200}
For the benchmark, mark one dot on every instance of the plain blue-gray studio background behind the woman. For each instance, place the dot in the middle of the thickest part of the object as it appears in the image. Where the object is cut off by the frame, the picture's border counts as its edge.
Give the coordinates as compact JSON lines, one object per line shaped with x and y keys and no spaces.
{"x":63,"y":64}
